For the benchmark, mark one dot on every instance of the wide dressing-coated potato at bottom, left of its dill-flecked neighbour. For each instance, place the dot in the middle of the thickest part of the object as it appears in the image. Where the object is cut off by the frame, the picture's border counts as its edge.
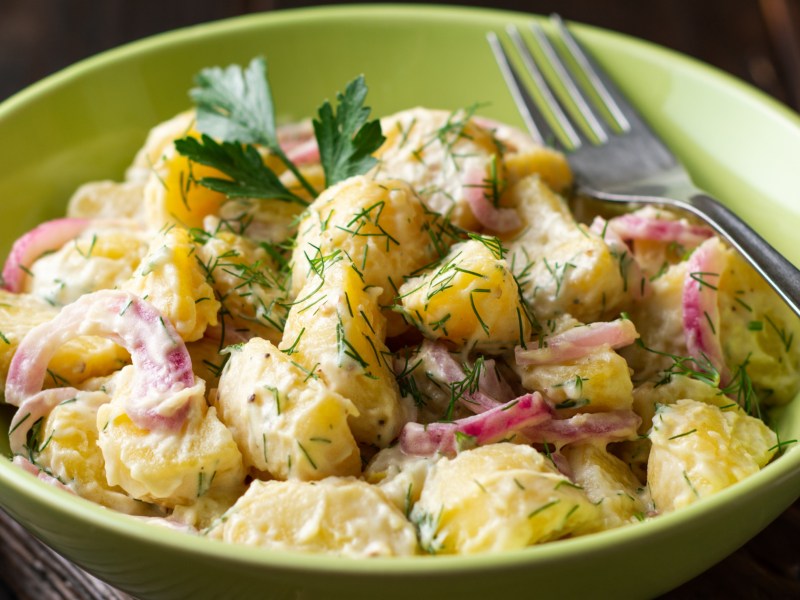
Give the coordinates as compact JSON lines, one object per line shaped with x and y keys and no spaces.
{"x":341,"y":516}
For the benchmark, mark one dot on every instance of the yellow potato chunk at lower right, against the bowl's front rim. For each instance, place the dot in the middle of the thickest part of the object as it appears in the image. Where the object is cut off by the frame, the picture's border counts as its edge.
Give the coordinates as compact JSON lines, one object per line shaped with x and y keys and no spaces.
{"x":699,"y":449}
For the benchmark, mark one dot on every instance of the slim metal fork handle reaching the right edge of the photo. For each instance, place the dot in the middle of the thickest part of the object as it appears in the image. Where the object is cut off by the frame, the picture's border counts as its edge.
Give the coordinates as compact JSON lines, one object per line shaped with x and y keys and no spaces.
{"x":781,"y":274}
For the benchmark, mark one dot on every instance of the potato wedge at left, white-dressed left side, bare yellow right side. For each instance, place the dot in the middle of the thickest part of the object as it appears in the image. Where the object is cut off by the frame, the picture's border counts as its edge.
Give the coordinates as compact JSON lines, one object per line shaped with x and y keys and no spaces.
{"x":171,"y":278}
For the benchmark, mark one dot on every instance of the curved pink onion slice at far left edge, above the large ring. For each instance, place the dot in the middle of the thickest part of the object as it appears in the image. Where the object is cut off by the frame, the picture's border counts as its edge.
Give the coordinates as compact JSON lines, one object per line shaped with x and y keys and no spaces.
{"x":50,"y":235}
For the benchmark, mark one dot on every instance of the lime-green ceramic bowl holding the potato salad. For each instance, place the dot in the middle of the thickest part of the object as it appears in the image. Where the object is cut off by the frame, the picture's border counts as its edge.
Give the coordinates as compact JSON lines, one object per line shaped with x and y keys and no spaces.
{"x":87,"y":121}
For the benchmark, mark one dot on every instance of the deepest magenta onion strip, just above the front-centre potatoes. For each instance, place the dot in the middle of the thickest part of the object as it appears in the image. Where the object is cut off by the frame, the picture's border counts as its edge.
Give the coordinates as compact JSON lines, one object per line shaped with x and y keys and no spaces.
{"x":488,"y":427}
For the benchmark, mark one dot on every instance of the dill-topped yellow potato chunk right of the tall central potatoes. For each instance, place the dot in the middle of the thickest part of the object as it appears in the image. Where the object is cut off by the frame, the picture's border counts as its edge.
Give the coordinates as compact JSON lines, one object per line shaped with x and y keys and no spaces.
{"x":469,"y":298}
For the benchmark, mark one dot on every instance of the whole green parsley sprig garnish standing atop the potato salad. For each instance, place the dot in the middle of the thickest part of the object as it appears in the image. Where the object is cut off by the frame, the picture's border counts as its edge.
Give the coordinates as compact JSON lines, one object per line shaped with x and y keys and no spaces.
{"x":235,"y":106}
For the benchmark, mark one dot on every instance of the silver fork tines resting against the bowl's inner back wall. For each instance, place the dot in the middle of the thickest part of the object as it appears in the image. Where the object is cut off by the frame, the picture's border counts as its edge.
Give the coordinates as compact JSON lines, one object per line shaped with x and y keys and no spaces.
{"x":582,"y":68}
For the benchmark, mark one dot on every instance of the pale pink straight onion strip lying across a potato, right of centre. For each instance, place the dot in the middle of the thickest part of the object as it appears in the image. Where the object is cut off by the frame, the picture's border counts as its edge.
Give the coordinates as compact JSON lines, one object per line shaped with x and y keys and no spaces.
{"x":578,"y":342}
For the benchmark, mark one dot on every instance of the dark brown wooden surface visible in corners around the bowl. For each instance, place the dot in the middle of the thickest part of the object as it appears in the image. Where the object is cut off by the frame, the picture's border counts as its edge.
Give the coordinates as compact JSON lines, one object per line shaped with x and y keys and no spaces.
{"x":758,"y":41}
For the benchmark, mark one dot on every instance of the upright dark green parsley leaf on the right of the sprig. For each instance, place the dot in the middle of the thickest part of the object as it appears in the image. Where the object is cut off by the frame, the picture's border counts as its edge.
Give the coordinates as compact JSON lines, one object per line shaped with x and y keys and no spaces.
{"x":346,"y":140}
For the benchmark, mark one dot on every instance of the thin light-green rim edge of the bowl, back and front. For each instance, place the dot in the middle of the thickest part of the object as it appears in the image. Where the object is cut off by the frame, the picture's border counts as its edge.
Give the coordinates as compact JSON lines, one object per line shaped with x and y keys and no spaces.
{"x":73,"y":507}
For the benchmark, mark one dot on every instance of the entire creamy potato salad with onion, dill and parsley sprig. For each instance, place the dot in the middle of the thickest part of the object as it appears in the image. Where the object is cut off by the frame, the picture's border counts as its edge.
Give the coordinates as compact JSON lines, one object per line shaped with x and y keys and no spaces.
{"x":380,"y":337}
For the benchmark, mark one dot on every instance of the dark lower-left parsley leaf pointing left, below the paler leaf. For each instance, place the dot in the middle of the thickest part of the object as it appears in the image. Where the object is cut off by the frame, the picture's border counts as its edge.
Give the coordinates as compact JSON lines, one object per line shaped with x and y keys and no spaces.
{"x":249,"y":176}
